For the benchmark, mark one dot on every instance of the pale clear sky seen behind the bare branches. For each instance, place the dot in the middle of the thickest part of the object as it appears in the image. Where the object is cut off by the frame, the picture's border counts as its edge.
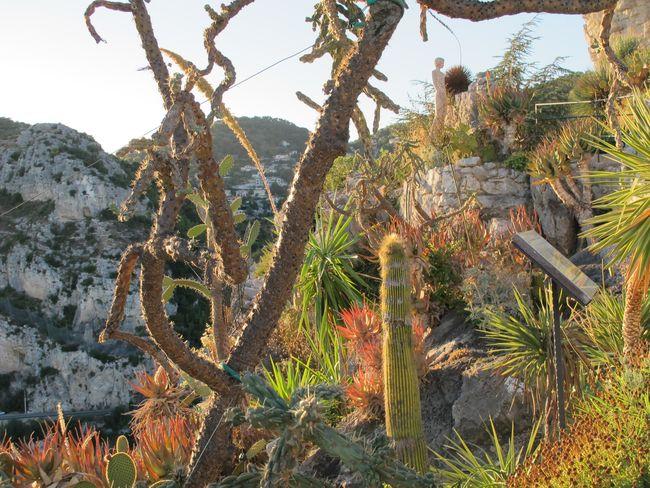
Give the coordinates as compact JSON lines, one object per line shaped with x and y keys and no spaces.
{"x":53,"y":71}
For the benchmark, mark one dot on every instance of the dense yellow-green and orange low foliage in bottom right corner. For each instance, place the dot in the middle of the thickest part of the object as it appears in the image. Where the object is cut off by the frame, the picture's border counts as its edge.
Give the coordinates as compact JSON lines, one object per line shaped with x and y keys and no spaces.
{"x":607,"y":444}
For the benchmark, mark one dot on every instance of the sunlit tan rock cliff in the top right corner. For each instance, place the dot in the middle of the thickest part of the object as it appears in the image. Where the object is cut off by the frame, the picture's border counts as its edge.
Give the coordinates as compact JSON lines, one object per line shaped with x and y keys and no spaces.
{"x":631,"y":19}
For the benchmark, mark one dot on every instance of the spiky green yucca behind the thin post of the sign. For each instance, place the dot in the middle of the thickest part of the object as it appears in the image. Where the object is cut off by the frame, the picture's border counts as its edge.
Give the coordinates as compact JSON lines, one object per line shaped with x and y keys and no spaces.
{"x":521,"y":346}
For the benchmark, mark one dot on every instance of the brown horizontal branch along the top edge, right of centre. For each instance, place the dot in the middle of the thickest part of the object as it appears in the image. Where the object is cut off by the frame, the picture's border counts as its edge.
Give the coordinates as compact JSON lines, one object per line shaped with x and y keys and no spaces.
{"x":477,"y":10}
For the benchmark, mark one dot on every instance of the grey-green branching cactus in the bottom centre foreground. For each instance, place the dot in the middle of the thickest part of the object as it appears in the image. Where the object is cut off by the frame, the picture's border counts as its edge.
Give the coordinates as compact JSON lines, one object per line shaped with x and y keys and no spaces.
{"x":297,"y":423}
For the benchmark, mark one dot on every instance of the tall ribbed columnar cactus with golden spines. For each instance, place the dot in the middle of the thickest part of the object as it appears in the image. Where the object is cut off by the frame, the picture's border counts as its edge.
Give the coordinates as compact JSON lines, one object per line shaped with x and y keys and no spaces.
{"x":401,"y":391}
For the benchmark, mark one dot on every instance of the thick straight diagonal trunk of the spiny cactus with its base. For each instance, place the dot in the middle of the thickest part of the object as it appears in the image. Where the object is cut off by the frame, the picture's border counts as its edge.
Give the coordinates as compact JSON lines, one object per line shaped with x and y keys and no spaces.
{"x":327,"y":142}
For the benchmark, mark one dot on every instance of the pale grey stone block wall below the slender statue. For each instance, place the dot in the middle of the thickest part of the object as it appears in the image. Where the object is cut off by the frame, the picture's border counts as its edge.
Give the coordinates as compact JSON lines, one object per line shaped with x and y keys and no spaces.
{"x":497,"y":189}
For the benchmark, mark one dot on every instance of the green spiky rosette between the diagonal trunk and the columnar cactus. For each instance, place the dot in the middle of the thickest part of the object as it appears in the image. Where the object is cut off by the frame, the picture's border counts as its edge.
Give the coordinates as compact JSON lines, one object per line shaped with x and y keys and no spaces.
{"x":328,"y":281}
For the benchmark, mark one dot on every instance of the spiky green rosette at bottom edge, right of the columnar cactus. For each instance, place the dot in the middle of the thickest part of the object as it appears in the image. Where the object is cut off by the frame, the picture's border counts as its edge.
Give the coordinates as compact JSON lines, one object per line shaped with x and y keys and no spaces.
{"x":469,"y":467}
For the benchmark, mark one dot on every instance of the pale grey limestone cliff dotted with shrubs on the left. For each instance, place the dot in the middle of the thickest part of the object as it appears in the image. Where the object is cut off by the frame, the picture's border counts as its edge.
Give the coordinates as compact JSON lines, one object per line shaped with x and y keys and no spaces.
{"x":58,"y":259}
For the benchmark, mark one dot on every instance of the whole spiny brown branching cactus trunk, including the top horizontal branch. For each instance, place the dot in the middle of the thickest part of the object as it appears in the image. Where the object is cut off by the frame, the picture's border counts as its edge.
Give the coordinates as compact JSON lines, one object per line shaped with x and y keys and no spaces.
{"x":184,"y":137}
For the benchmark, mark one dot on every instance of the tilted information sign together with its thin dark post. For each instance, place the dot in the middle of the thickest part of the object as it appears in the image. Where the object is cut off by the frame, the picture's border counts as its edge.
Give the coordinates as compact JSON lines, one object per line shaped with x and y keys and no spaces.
{"x":564,"y":276}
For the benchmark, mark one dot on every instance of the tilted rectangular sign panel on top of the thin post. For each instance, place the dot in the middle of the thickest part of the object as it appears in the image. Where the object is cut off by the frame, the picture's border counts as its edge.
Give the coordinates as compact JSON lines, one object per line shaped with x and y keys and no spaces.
{"x":566,"y":274}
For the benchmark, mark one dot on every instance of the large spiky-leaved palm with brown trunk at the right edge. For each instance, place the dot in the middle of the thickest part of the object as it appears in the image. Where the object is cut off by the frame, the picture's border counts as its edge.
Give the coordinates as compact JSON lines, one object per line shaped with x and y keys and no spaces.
{"x":624,"y":229}
